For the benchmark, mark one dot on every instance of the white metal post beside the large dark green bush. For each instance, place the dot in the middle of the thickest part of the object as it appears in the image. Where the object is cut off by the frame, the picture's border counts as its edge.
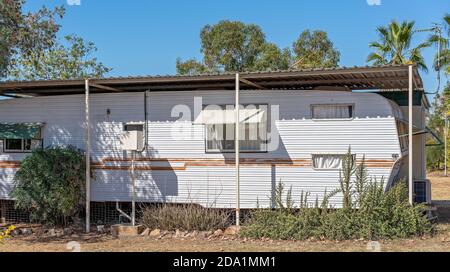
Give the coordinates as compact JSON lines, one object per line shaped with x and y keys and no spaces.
{"x":88,"y":159}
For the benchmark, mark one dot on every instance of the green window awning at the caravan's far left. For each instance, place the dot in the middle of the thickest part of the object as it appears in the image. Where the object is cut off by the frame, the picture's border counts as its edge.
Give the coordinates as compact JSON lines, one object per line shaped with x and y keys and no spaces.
{"x":20,"y":131}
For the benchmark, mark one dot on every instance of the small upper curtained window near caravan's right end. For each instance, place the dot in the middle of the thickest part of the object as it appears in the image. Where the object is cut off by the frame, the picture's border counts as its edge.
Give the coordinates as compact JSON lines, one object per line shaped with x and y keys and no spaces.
{"x":332,"y":111}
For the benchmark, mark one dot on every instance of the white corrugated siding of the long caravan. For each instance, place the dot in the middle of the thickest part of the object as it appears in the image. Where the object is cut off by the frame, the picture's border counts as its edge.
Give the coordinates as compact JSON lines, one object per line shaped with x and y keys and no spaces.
{"x":372,"y":133}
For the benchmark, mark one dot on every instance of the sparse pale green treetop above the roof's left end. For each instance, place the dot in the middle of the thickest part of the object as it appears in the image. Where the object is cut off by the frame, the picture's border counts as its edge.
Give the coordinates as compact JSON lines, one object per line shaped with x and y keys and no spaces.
{"x":74,"y":61}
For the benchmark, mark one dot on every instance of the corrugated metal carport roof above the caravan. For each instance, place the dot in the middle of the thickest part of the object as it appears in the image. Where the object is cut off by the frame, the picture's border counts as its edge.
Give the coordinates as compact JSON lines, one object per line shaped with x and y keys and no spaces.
{"x":391,"y":77}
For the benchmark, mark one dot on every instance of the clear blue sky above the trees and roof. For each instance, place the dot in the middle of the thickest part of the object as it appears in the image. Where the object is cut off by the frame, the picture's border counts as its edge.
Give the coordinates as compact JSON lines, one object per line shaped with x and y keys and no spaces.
{"x":144,"y":37}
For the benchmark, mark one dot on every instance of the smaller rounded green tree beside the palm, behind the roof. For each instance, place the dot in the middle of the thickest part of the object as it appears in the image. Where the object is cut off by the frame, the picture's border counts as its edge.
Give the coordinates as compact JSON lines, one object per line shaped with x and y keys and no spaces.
{"x":315,"y":50}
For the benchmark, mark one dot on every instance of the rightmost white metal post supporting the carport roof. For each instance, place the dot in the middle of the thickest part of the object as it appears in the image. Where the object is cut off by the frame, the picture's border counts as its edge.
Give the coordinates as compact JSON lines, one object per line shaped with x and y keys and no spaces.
{"x":410,"y":136}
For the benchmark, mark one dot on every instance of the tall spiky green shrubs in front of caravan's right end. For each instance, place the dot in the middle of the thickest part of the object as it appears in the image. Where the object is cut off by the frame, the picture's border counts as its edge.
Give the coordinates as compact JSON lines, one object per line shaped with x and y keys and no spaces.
{"x":369,"y":212}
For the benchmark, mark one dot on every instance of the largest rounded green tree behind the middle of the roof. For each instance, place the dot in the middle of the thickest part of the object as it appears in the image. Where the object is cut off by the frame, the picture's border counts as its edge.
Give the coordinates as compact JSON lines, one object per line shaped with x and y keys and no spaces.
{"x":232,"y":46}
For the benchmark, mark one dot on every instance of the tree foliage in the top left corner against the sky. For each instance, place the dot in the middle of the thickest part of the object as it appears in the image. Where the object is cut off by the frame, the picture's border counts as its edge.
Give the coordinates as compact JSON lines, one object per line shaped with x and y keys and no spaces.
{"x":25,"y":33}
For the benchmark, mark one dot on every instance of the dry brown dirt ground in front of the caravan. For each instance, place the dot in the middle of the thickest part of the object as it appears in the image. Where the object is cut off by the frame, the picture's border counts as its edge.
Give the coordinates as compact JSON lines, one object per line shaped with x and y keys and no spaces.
{"x":105,"y":242}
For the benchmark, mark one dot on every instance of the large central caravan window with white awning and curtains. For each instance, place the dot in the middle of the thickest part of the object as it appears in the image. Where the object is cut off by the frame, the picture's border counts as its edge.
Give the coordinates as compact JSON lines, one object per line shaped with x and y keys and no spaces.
{"x":220,"y":132}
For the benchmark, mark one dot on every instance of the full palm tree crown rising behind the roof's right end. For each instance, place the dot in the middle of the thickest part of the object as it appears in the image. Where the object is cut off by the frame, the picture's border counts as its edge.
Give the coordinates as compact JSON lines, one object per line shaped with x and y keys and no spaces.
{"x":394,"y":46}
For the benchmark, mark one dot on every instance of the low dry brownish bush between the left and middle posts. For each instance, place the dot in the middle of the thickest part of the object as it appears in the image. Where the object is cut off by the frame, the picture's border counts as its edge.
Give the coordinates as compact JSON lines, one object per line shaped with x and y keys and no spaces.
{"x":186,"y":217}
